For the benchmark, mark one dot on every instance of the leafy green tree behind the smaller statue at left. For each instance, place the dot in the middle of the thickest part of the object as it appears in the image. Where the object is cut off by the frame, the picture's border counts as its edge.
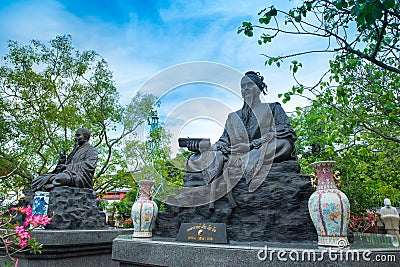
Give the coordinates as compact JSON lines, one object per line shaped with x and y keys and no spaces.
{"x":47,"y":91}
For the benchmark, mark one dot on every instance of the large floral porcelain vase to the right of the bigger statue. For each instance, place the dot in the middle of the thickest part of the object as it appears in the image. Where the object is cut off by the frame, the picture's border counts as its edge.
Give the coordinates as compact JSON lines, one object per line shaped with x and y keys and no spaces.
{"x":329,"y":208}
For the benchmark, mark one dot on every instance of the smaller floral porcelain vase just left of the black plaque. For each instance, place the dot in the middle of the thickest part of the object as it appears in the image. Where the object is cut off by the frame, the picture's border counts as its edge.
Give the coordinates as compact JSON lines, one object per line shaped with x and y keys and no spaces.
{"x":144,"y":211}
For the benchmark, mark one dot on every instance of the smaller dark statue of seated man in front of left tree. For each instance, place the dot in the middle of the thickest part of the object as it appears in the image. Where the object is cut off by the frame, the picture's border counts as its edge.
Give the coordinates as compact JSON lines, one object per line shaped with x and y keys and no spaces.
{"x":76,"y":170}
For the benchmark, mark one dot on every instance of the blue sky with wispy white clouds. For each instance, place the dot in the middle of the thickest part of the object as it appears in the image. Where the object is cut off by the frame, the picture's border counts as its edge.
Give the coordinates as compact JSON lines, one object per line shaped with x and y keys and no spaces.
{"x":142,"y":38}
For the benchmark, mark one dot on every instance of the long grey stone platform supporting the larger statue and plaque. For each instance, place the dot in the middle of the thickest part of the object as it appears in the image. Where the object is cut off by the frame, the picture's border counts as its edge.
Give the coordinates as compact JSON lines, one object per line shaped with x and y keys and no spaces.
{"x":367,"y":250}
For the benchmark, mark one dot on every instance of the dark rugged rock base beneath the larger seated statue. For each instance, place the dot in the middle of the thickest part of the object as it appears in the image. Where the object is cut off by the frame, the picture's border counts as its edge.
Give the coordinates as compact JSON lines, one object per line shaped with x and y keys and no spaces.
{"x":276,"y":211}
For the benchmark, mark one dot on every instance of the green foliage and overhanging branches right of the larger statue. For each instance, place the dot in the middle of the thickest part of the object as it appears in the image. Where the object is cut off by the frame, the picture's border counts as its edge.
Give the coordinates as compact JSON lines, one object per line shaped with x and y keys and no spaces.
{"x":353,"y":117}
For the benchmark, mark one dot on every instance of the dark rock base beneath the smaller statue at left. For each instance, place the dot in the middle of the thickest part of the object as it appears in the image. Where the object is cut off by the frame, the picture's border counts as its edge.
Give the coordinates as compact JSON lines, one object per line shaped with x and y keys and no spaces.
{"x":73,"y":208}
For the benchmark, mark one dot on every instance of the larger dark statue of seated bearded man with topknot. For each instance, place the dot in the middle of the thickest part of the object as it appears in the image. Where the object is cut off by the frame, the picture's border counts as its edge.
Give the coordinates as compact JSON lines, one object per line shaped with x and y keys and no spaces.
{"x":254,"y":137}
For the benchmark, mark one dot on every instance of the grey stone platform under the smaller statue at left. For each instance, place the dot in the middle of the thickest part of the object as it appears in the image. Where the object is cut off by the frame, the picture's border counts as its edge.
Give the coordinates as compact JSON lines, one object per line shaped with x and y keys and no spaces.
{"x":77,"y":248}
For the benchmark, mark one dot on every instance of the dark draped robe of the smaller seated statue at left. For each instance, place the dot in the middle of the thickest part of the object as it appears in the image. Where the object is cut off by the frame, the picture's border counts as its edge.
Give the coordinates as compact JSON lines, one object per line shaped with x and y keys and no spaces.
{"x":81,"y":165}
